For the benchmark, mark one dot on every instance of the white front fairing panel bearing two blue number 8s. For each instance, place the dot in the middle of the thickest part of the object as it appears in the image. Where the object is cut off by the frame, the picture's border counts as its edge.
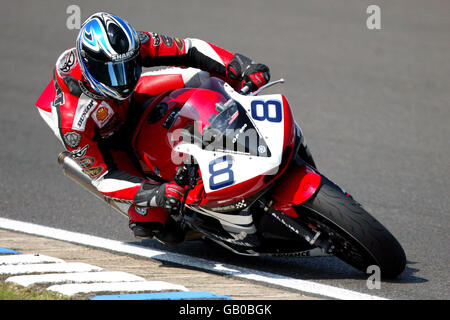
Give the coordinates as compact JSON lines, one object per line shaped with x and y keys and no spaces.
{"x":221,"y":170}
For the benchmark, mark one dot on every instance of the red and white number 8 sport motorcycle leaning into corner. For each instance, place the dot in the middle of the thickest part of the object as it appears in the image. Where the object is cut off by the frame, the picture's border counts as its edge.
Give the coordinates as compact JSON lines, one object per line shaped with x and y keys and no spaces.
{"x":251,"y":183}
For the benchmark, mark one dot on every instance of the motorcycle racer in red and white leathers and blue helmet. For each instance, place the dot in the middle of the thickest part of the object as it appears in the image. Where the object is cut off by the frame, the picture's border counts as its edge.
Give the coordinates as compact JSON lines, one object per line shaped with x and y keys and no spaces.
{"x":99,"y":89}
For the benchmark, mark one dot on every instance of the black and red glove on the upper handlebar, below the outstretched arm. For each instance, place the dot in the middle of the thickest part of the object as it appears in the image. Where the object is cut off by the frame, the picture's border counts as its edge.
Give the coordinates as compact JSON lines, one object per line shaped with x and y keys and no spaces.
{"x":254,"y":75}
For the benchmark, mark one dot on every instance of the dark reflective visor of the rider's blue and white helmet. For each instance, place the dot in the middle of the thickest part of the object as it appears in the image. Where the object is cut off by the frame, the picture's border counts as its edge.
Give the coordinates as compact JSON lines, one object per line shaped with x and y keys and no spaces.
{"x":124,"y":73}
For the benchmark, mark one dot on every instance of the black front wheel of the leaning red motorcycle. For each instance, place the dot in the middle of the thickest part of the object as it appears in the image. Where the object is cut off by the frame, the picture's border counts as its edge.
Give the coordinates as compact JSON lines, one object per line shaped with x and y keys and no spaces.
{"x":352,"y":233}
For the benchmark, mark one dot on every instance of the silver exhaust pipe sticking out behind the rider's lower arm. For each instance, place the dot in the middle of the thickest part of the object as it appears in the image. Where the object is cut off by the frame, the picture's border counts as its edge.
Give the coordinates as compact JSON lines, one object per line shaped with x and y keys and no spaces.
{"x":73,"y":170}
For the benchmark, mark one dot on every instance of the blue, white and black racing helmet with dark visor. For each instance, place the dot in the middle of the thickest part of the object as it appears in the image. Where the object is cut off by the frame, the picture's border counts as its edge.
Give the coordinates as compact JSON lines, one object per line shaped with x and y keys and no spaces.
{"x":108,"y":53}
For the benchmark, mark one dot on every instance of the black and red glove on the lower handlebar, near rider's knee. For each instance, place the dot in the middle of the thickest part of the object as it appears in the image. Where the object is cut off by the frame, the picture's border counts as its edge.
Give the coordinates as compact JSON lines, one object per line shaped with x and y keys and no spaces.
{"x":166,"y":195}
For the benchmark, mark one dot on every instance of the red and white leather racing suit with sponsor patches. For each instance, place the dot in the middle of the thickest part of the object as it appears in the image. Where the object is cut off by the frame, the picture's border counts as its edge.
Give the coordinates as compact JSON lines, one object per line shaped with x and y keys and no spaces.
{"x":86,"y":123}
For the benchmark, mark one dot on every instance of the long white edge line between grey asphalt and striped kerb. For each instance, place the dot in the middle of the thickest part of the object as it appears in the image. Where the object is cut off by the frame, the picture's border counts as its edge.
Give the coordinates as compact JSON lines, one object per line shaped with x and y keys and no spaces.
{"x":235,"y":271}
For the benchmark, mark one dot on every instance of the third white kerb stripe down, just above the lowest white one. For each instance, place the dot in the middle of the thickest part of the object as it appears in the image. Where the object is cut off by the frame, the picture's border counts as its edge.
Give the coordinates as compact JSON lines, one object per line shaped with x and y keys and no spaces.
{"x":78,"y":277}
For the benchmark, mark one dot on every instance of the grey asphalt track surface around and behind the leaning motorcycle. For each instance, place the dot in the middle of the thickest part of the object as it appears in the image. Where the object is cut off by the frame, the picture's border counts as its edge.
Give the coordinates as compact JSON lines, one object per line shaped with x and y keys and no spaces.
{"x":373,"y":105}
